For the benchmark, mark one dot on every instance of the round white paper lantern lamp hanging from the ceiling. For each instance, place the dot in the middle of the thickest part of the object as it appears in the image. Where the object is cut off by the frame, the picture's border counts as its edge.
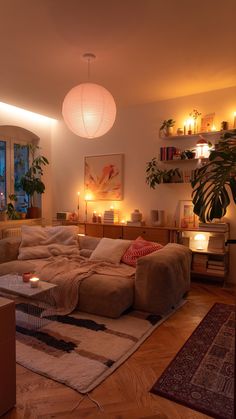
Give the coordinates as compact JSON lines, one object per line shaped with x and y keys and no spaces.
{"x":89,"y":110}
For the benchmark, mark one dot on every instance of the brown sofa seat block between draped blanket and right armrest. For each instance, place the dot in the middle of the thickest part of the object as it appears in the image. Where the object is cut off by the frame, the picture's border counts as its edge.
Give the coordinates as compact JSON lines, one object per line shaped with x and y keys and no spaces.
{"x":106,"y":295}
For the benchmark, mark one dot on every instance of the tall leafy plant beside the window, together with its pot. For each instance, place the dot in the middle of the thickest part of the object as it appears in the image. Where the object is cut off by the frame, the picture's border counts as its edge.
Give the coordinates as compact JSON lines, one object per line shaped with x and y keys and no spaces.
{"x":31,"y":182}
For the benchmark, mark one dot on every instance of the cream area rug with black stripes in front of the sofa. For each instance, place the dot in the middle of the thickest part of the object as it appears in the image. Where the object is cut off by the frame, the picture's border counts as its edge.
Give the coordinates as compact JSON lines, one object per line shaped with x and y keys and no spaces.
{"x":79,"y":350}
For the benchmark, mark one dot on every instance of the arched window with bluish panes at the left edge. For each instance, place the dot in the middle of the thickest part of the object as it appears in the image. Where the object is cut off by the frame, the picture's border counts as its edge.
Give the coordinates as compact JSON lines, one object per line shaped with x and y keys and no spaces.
{"x":14,"y":162}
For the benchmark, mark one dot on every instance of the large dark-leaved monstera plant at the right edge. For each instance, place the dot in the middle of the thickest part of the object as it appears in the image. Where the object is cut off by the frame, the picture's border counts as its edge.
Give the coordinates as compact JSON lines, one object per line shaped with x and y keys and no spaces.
{"x":214,"y":183}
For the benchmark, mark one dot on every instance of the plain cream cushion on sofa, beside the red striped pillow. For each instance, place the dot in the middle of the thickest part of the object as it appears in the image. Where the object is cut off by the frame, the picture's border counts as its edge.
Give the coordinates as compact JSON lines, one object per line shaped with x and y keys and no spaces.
{"x":110,"y":250}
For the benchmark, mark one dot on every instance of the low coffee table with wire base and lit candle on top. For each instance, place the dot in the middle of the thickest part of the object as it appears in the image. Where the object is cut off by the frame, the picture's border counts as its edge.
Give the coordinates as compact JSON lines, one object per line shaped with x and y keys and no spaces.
{"x":31,"y":308}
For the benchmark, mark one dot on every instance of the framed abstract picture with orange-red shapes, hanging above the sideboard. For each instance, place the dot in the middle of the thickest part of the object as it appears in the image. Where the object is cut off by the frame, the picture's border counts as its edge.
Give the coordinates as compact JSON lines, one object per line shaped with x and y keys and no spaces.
{"x":103,"y":177}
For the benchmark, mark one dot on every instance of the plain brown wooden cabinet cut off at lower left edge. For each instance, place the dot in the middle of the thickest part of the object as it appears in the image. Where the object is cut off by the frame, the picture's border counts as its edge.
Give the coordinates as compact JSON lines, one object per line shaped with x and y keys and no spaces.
{"x":7,"y":355}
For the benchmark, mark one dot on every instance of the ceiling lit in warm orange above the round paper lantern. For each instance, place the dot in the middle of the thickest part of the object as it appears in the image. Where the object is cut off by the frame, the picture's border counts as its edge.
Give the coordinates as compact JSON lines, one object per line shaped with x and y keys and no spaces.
{"x":147,"y":50}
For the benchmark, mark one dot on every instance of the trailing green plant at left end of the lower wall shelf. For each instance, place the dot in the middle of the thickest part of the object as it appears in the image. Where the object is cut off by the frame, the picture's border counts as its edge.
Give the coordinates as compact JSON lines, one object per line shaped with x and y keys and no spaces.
{"x":155,"y":175}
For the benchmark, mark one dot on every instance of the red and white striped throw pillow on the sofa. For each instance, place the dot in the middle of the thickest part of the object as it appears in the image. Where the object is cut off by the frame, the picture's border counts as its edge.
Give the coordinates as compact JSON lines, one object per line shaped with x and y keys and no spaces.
{"x":139,"y":248}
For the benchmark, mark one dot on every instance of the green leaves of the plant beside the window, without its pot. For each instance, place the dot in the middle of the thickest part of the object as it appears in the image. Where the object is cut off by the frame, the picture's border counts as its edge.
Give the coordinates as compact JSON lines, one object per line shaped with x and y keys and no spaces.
{"x":31,"y":182}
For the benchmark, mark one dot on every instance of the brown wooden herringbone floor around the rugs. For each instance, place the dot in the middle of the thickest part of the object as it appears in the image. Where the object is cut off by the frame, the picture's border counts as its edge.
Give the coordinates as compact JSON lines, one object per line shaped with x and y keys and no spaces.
{"x":125,"y":394}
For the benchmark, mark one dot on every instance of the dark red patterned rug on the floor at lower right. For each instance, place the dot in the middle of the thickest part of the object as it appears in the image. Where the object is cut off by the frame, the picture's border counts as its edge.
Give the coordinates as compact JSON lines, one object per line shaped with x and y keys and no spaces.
{"x":201,"y":376}
